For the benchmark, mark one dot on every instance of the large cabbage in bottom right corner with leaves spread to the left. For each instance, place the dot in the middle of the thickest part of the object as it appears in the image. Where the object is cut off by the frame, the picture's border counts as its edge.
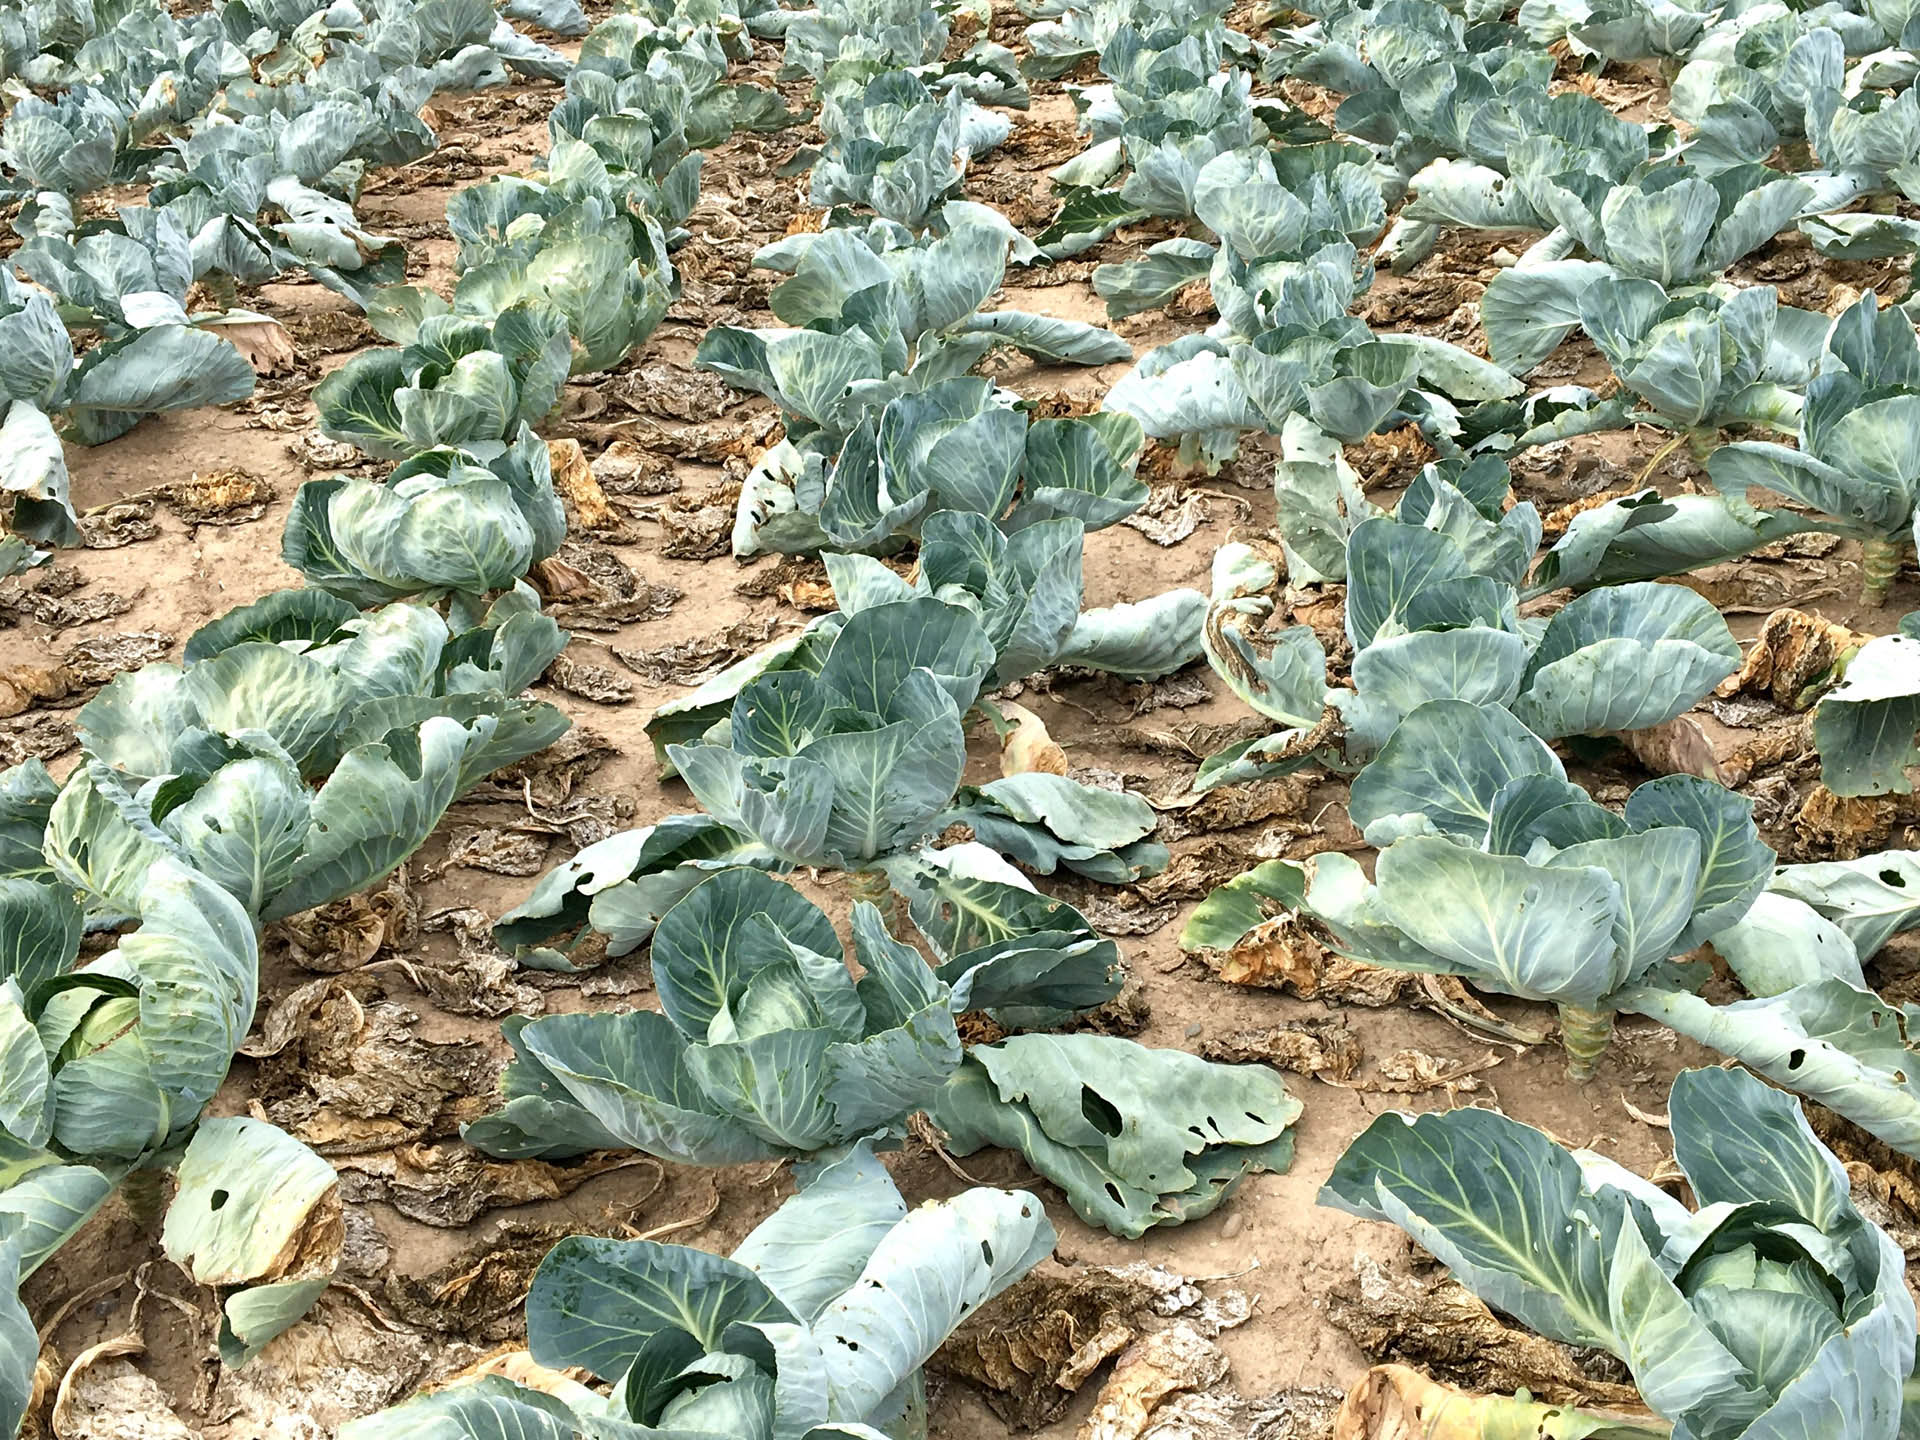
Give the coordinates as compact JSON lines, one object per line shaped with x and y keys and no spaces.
{"x":1771,"y":1310}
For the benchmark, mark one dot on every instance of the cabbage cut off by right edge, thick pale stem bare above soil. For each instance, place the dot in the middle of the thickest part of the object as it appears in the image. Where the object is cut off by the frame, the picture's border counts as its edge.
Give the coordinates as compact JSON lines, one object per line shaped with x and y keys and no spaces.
{"x":1852,"y":464}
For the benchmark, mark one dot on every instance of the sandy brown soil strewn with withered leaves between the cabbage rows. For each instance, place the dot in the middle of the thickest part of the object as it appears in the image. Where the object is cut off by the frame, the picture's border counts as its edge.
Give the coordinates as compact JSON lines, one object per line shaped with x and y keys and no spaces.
{"x":383,"y":1049}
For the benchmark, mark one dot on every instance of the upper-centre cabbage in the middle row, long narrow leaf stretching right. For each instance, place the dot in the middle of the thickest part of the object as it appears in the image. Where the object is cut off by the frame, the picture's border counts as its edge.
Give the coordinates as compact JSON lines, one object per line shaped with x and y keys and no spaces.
{"x":878,"y":314}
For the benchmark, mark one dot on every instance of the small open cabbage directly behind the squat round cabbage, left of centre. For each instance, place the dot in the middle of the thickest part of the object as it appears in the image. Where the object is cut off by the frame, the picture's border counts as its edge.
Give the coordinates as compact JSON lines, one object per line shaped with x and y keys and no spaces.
{"x":460,"y":383}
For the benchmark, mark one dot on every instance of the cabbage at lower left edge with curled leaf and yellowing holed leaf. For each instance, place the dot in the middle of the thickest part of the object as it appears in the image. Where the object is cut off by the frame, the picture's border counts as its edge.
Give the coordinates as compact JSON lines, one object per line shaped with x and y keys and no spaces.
{"x":105,"y":1076}
